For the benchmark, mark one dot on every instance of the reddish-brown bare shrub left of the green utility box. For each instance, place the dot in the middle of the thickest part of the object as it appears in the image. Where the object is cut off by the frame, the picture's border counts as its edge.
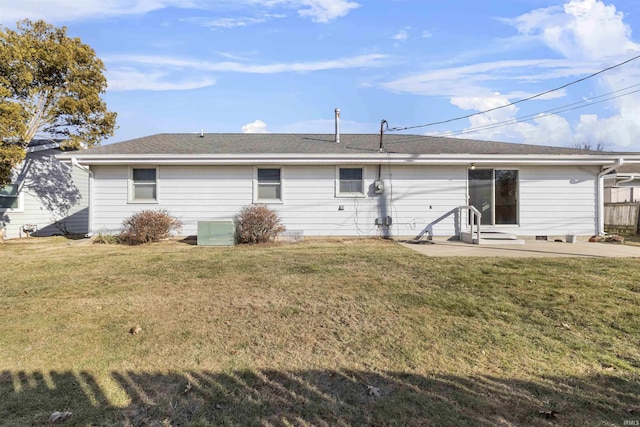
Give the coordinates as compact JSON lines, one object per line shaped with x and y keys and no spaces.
{"x":148,"y":226}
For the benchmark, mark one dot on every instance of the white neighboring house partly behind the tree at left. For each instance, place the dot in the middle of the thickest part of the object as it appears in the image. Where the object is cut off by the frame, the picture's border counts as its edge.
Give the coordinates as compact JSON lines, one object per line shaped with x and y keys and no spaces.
{"x":45,"y":197}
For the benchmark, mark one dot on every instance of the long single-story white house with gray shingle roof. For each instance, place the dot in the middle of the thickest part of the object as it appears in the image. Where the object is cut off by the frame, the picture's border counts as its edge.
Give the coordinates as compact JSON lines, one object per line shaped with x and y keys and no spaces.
{"x":352,"y":185}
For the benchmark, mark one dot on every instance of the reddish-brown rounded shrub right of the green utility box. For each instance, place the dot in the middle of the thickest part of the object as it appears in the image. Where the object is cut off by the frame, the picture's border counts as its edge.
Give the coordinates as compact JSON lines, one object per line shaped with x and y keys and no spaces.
{"x":257,"y":224}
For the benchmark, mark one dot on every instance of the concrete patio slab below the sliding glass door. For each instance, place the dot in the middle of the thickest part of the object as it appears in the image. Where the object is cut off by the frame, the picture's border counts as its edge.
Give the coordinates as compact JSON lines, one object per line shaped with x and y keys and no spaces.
{"x":530,"y":249}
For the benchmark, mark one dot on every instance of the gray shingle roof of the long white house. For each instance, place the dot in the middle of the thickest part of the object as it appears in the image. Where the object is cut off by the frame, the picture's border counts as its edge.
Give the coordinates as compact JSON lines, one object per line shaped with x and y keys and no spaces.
{"x":273,"y":143}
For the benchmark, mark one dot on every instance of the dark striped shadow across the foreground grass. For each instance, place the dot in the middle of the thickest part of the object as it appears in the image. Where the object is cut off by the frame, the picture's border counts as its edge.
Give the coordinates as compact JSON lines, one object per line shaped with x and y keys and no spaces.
{"x":318,"y":397}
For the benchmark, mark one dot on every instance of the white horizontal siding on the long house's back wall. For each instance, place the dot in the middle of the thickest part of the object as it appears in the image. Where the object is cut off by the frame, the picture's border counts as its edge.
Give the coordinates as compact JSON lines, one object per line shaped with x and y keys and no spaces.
{"x":553,"y":200}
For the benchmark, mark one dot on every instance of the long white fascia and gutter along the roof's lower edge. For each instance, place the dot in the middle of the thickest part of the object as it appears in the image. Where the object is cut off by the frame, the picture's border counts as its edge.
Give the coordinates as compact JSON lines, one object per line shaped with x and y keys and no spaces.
{"x":331,"y":159}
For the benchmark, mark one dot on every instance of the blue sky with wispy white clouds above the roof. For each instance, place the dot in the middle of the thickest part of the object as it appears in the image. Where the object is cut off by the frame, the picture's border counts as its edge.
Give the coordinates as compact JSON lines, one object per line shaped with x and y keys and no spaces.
{"x":285,"y":65}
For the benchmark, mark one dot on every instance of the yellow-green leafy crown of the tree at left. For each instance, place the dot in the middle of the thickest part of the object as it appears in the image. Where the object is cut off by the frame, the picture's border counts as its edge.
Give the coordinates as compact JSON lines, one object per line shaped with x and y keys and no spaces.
{"x":50,"y":84}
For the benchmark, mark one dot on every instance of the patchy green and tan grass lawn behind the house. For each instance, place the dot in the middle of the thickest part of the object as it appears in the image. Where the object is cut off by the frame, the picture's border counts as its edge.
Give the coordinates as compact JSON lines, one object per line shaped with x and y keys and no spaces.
{"x":359,"y":332}
